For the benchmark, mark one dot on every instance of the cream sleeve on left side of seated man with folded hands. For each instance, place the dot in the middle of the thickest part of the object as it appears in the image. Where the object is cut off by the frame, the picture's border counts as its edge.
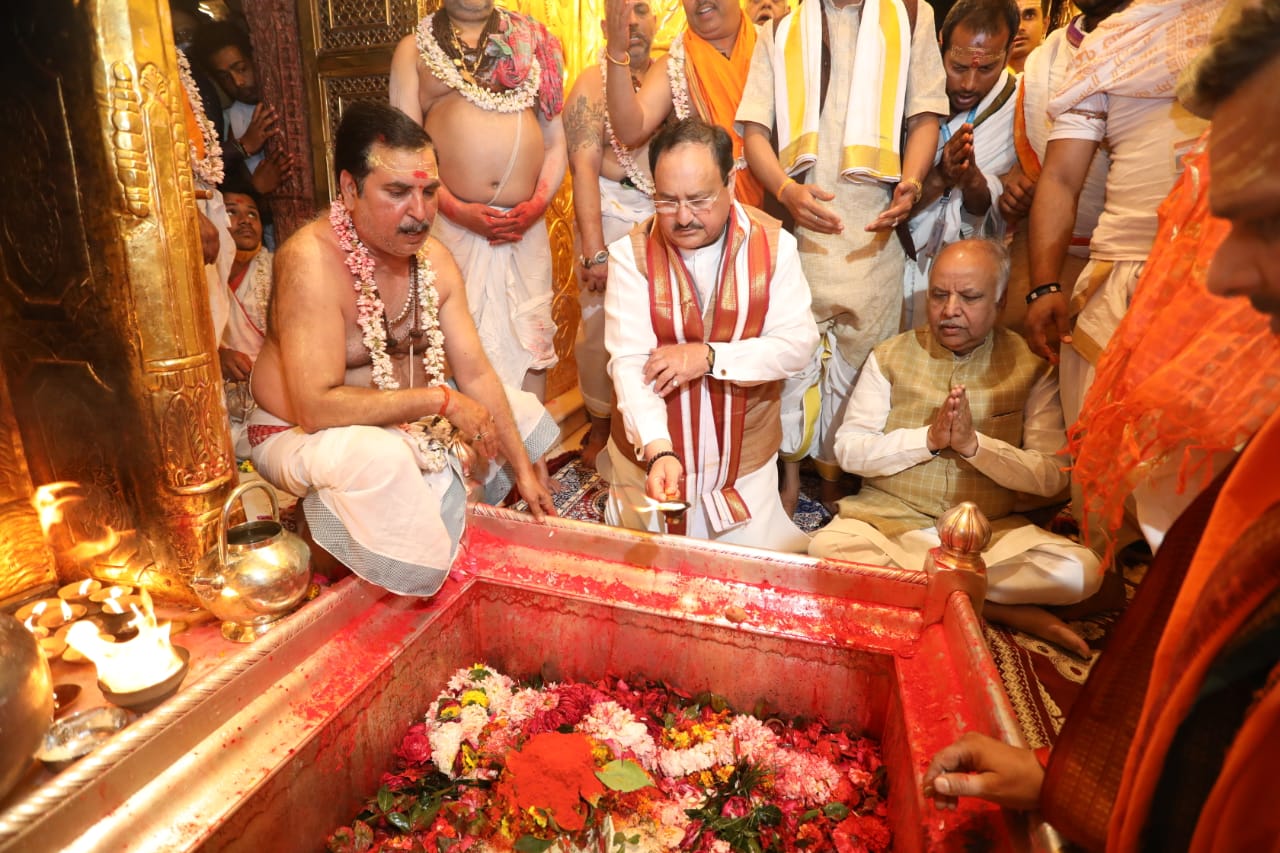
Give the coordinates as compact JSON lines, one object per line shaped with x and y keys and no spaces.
{"x":862,"y":445}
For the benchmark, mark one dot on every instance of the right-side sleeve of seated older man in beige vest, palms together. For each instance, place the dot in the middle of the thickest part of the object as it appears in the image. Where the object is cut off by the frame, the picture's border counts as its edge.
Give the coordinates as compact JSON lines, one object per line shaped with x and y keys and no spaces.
{"x":1035,"y":468}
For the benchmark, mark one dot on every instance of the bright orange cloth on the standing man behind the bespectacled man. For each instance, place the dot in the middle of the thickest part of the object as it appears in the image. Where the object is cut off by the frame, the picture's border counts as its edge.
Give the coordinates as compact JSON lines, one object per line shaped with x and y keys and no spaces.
{"x":716,"y":88}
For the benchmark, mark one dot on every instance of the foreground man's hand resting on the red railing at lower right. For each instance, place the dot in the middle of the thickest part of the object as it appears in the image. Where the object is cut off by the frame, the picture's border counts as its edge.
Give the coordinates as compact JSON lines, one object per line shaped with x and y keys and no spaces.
{"x":985,"y":768}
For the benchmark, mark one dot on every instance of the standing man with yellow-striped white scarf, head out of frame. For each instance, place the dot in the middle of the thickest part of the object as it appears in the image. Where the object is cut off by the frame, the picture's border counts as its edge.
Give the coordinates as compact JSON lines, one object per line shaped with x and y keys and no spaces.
{"x":845,"y":208}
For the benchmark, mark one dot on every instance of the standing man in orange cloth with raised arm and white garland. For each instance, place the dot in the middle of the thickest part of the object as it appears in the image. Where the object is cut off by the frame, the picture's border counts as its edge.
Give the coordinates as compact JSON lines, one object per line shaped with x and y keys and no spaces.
{"x":702,"y":75}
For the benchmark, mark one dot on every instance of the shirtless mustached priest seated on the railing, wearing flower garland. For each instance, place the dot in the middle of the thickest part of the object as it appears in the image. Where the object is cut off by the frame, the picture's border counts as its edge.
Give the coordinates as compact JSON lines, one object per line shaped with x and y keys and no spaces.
{"x":367,"y":326}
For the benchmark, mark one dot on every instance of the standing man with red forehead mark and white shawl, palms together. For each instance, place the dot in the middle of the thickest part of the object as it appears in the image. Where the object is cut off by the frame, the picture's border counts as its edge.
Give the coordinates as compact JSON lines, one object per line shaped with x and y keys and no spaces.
{"x":976,"y":144}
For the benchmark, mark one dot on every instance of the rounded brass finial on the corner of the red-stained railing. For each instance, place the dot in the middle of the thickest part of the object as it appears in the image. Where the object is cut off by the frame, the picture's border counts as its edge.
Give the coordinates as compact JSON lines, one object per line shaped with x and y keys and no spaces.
{"x":957,"y":564}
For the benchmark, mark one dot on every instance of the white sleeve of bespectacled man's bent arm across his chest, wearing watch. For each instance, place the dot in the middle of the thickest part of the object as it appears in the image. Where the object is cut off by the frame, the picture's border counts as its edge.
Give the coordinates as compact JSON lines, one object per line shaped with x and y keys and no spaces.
{"x":789,"y":337}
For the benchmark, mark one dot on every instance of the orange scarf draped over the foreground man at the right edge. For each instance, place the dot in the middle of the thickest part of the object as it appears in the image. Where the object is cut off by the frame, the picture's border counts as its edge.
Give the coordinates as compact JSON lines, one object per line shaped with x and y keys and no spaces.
{"x":1194,"y":638}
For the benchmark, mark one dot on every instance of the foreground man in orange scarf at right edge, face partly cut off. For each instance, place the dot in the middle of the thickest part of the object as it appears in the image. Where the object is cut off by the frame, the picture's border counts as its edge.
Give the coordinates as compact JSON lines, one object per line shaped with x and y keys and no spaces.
{"x":1174,"y":742}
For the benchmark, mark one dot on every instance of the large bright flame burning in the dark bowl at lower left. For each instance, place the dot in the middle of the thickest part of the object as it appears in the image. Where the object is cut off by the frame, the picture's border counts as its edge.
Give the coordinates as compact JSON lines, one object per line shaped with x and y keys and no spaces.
{"x":132,"y":665}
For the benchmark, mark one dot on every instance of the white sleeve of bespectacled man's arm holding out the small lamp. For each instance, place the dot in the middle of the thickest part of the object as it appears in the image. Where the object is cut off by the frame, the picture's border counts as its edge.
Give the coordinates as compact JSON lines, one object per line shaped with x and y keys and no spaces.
{"x":629,"y":337}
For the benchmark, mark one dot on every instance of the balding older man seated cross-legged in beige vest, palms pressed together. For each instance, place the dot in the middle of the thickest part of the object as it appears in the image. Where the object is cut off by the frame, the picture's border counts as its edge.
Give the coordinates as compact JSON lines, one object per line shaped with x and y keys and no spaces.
{"x":959,"y":410}
